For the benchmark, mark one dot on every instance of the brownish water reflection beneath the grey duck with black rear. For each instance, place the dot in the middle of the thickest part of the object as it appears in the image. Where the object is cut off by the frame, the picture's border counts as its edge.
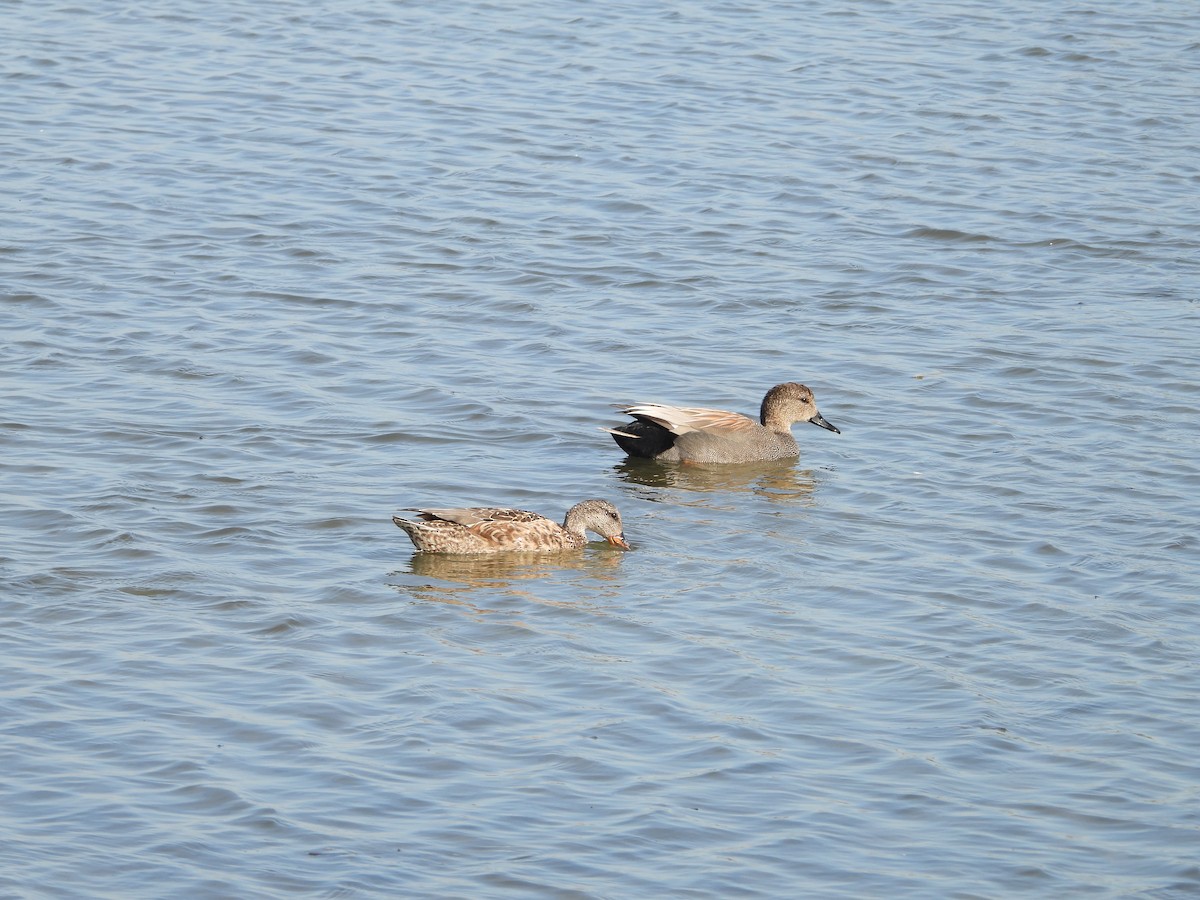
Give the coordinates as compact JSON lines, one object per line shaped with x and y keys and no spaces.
{"x":775,"y":479}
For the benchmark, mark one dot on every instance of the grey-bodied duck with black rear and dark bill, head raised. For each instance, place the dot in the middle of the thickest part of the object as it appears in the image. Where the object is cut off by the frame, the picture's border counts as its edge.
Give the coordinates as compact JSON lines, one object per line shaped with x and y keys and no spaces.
{"x":699,"y":435}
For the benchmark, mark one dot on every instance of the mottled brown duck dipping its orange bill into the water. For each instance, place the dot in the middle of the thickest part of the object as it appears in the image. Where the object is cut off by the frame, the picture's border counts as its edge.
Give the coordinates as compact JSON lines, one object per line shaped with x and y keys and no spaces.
{"x":495,"y":531}
